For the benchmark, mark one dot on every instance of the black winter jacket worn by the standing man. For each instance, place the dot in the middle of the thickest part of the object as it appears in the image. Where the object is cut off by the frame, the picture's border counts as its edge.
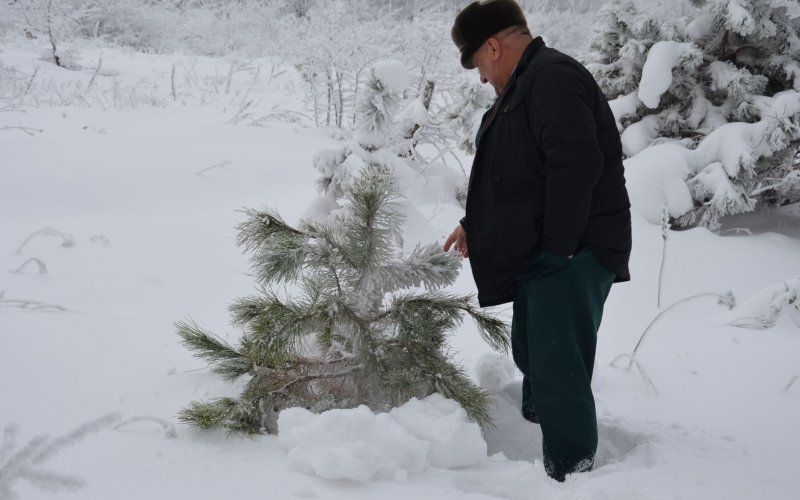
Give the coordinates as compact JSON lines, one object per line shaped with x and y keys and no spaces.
{"x":547,"y":176}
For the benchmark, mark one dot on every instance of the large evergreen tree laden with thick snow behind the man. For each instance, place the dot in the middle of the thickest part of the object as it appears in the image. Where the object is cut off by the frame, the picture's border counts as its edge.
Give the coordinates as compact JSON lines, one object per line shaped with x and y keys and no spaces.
{"x":727,"y":75}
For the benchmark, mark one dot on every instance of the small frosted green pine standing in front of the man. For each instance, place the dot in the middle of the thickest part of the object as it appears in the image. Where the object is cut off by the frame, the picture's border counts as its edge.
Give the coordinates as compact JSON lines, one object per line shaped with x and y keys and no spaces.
{"x":362,"y":325}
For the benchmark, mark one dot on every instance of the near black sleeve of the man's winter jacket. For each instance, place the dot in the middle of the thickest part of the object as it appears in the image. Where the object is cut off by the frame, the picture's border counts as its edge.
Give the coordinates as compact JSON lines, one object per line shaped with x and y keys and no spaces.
{"x":562,"y":121}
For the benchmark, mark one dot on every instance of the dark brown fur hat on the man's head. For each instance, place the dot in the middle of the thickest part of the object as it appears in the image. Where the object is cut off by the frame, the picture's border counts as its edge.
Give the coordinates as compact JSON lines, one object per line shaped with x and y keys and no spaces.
{"x":479,"y":21}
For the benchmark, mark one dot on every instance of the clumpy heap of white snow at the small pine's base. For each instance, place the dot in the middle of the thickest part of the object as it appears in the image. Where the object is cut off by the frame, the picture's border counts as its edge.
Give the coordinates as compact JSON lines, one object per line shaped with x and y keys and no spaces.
{"x":360,"y":445}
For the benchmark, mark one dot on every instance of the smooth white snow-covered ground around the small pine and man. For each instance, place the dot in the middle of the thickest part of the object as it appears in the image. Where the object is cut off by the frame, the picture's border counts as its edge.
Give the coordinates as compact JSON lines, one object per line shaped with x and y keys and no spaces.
{"x":138,"y":187}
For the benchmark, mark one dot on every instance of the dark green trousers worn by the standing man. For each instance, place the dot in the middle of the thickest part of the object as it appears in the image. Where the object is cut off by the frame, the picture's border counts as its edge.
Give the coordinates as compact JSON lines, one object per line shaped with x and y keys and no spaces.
{"x":557,"y":312}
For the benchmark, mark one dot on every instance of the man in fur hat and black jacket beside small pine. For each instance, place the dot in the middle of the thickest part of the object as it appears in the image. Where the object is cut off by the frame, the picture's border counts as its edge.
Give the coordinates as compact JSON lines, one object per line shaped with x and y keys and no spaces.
{"x":547,"y":219}
